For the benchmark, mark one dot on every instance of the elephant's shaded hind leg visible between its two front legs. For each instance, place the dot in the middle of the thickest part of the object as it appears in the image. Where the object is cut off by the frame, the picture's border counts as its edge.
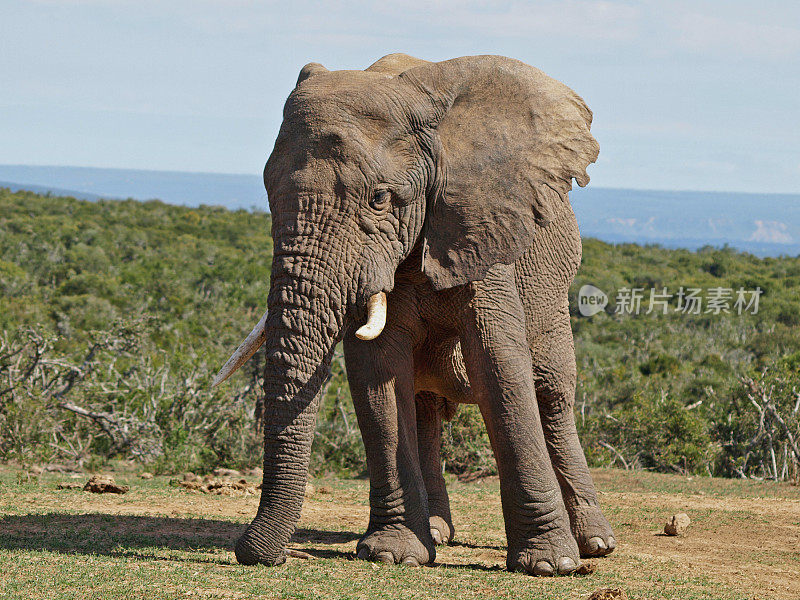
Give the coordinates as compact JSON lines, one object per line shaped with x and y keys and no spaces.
{"x":429,"y":438}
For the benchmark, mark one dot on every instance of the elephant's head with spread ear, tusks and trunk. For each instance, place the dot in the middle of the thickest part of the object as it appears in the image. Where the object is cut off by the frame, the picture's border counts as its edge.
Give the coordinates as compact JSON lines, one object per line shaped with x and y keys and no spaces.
{"x":444,"y":165}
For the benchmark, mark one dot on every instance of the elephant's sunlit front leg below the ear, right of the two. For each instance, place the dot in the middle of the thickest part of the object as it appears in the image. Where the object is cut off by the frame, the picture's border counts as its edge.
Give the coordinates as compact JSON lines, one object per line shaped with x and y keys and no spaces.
{"x":498,"y":362}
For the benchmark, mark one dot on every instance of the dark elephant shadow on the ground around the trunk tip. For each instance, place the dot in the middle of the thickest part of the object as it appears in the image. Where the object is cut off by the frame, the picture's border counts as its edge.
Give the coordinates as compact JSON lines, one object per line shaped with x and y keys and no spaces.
{"x":206,"y":540}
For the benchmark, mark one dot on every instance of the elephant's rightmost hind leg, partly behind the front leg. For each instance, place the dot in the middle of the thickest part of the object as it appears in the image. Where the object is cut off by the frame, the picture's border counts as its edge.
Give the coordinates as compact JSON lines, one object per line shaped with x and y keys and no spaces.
{"x":554,"y":366}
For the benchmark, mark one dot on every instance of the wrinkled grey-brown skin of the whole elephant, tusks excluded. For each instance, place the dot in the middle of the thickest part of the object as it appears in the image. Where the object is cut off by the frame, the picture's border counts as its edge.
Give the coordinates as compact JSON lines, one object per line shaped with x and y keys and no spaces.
{"x":444,"y":185}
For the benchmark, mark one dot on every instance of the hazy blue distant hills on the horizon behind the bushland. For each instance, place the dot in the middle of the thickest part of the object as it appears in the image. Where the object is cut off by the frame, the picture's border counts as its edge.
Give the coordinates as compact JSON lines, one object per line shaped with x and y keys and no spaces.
{"x":763,"y":224}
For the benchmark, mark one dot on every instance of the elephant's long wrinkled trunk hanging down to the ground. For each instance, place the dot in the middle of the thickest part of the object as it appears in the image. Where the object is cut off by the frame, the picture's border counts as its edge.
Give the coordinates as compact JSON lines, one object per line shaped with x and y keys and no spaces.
{"x":301,"y":330}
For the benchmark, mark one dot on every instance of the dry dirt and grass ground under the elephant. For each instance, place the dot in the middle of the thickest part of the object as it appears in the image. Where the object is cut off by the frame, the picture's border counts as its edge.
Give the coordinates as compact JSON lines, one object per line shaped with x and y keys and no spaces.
{"x":743,"y":542}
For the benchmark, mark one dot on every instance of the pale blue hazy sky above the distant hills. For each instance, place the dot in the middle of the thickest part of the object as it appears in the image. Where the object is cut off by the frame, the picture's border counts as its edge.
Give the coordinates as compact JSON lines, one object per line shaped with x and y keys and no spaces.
{"x":686,"y":95}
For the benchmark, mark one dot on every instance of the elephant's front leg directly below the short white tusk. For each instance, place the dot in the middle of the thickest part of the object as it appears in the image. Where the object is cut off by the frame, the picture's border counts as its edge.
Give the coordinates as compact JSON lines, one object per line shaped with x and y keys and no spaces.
{"x":380,"y":373}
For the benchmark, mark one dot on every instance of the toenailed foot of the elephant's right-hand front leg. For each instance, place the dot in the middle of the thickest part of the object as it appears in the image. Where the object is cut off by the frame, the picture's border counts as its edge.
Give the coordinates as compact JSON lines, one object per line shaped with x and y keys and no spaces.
{"x":553,"y":552}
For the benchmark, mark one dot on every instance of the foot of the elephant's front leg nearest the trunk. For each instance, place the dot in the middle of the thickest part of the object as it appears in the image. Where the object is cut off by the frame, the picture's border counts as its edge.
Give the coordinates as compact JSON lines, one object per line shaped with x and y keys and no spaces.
{"x":396,"y":544}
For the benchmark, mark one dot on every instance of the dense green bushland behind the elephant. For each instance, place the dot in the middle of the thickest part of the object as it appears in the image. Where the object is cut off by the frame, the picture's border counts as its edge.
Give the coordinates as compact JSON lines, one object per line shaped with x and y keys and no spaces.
{"x":126,"y":309}
